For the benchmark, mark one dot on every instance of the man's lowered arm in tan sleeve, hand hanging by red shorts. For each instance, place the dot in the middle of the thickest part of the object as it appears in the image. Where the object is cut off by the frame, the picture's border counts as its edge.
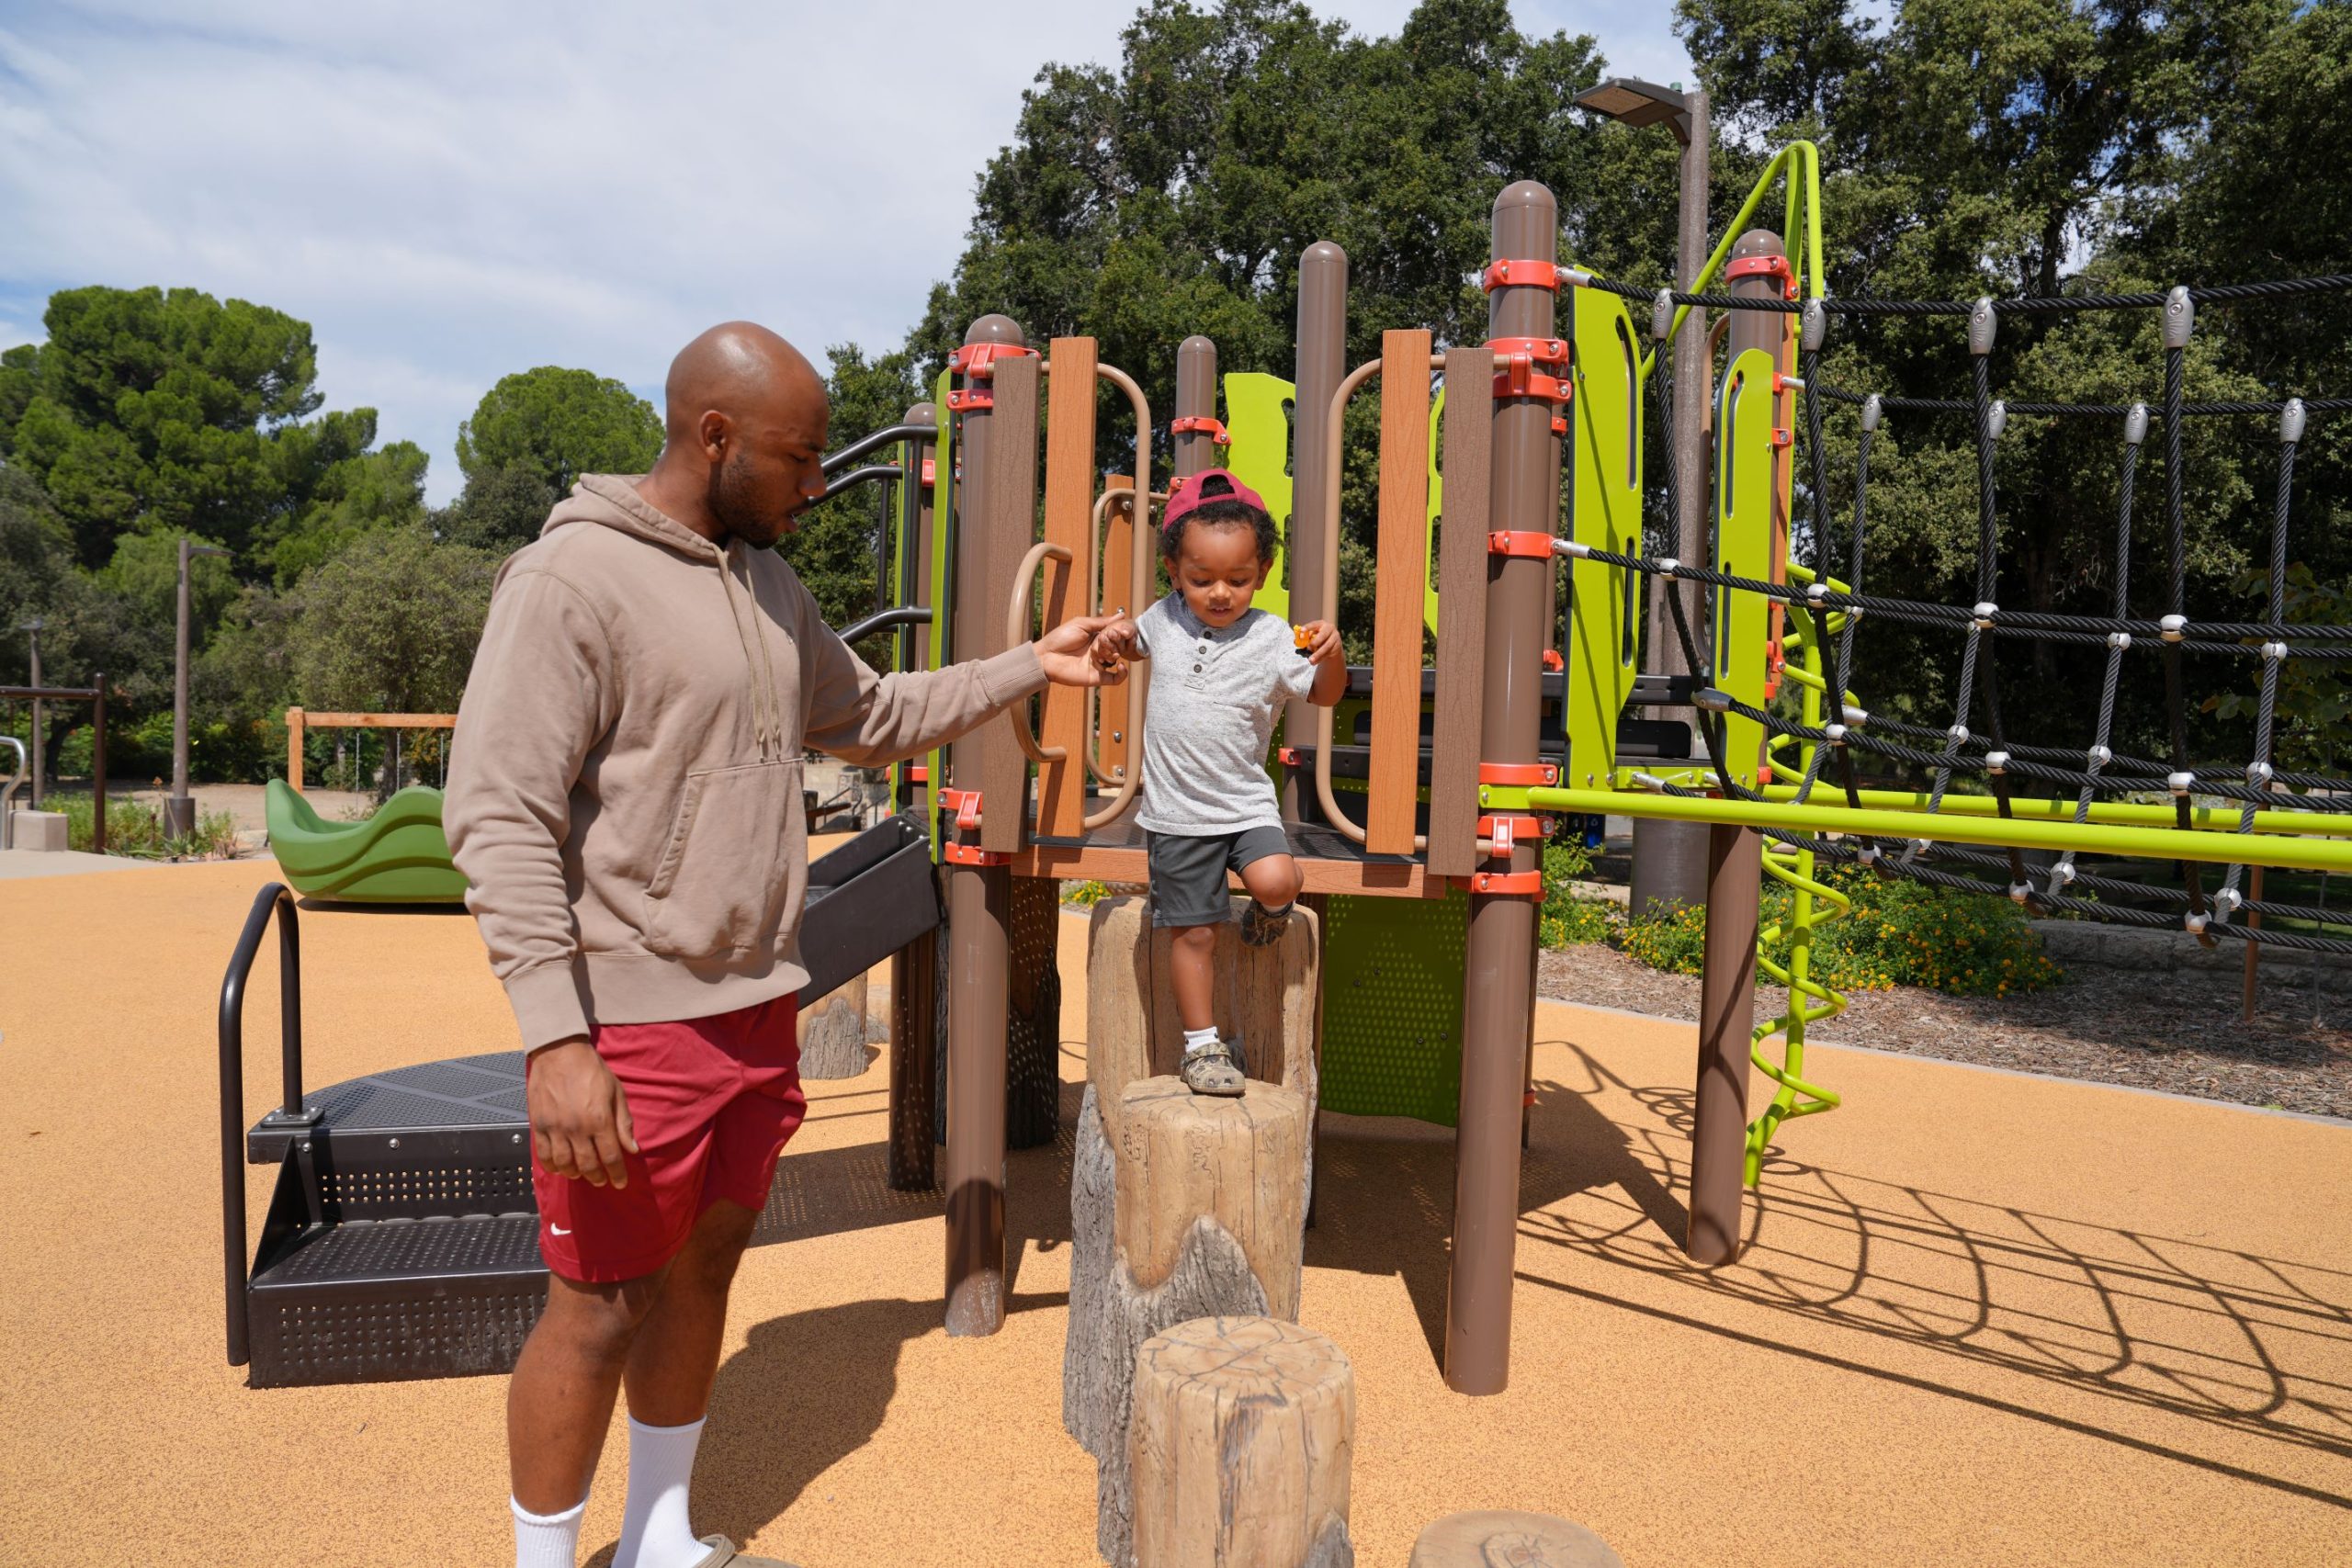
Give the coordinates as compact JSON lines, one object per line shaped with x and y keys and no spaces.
{"x":537,"y":699}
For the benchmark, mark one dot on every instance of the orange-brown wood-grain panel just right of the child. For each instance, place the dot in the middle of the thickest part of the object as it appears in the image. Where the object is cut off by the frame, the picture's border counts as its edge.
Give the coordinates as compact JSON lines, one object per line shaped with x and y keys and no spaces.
{"x":1398,"y":594}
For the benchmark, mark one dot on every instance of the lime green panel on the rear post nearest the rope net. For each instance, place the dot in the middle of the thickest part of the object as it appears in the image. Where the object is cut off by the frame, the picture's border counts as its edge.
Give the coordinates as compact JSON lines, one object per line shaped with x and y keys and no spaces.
{"x":1744,"y":481}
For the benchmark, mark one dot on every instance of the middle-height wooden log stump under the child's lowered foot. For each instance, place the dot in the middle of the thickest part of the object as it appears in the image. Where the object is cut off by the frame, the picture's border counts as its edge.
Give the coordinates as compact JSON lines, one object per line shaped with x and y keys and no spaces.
{"x":1205,"y":1219}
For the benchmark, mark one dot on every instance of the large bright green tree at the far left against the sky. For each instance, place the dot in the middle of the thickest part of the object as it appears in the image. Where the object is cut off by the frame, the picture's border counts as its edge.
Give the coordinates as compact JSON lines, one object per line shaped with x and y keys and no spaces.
{"x":171,"y":410}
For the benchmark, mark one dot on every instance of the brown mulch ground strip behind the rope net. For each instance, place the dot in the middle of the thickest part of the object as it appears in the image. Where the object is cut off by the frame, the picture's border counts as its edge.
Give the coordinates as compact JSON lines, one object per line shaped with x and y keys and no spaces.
{"x":2174,"y":1031}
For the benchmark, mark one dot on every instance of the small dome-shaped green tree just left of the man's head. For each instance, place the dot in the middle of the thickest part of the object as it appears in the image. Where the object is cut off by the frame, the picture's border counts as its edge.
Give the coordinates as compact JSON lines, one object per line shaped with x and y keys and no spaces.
{"x":559,"y":424}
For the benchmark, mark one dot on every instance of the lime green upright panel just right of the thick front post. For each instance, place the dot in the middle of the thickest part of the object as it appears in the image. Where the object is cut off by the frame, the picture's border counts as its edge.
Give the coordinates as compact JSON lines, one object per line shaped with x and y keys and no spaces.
{"x":1605,"y":429}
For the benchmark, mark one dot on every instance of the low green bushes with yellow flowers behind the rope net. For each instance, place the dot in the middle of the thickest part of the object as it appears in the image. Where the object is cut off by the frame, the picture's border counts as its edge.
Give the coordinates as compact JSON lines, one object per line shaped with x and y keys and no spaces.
{"x":1895,"y":934}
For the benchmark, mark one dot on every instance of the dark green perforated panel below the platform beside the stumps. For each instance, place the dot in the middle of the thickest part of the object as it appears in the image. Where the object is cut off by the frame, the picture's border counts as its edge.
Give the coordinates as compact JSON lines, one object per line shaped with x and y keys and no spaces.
{"x":1394,"y":1007}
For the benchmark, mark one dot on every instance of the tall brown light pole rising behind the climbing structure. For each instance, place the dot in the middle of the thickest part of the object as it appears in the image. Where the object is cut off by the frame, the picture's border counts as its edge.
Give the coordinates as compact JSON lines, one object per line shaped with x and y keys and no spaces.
{"x":1671,"y":859}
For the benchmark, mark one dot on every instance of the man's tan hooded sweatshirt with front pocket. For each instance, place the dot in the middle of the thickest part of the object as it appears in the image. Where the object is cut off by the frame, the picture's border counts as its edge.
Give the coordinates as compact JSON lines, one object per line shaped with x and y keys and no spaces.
{"x":624,"y":786}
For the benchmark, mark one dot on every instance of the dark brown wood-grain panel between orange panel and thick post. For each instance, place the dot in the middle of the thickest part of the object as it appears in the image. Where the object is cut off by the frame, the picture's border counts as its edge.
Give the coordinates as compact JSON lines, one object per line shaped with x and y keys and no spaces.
{"x":1462,"y":612}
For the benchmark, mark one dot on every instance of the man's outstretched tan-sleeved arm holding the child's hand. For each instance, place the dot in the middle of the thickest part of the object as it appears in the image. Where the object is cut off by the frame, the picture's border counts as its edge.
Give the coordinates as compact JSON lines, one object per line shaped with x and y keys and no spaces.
{"x":871,"y":721}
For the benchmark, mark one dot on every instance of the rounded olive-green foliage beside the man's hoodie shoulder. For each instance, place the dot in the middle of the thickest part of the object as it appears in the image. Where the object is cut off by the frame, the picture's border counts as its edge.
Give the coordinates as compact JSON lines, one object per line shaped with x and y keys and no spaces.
{"x":389,"y":624}
